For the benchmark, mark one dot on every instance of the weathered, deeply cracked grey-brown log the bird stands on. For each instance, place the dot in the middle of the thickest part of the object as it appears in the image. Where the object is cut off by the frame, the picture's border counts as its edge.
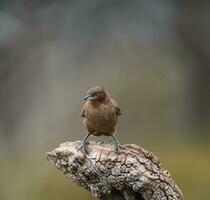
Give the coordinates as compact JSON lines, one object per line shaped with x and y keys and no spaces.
{"x":130,"y":174}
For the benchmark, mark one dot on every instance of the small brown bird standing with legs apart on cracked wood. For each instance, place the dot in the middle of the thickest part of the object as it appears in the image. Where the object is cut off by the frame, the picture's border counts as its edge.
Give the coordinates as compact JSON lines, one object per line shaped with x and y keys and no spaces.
{"x":100,"y":114}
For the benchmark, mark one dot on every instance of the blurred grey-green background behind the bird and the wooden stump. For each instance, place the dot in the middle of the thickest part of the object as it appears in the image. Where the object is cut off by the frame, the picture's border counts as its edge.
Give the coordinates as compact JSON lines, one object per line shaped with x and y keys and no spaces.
{"x":152,"y":56}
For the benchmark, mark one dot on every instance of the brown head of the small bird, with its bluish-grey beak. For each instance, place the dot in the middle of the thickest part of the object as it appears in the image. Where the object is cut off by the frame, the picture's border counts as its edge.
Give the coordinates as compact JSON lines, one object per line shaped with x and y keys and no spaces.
{"x":96,"y":94}
